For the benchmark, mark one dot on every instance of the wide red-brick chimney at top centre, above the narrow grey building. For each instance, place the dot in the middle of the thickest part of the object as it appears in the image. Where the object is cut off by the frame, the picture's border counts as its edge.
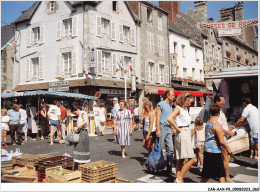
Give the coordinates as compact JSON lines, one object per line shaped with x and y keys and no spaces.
{"x":173,"y":8}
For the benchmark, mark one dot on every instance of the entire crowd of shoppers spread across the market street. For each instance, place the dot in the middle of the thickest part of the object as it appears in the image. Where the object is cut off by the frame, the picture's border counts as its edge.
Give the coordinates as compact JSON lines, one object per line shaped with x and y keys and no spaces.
{"x":169,"y":120}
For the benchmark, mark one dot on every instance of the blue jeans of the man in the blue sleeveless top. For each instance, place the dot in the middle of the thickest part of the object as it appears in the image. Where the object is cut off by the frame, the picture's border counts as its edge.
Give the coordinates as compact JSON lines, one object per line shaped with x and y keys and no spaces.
{"x":166,"y":137}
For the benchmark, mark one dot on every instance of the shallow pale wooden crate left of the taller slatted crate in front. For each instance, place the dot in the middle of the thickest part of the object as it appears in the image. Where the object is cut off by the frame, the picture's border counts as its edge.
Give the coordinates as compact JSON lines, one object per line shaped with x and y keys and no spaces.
{"x":67,"y":177}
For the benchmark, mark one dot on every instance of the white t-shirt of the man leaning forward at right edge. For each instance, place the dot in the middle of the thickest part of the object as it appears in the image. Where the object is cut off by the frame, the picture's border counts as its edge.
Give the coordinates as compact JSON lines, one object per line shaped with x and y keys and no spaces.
{"x":250,"y":112}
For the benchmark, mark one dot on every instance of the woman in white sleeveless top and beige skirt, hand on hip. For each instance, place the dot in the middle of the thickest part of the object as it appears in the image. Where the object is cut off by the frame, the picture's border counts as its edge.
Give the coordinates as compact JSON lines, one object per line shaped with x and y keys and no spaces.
{"x":182,"y":141}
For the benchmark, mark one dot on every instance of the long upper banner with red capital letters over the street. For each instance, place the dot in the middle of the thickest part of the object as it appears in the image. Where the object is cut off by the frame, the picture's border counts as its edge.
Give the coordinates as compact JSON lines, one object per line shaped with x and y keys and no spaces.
{"x":229,"y":24}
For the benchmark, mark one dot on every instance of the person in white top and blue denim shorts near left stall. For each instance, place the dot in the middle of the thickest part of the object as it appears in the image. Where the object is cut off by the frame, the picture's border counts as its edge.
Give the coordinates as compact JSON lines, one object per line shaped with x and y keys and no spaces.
{"x":54,"y":115}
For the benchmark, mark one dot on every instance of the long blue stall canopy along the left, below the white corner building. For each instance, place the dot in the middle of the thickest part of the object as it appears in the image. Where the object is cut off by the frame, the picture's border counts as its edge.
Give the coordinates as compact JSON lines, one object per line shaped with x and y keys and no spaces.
{"x":48,"y":93}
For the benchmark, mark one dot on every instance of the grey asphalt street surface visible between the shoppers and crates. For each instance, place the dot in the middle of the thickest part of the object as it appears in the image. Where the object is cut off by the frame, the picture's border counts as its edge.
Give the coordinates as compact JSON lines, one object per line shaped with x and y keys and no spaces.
{"x":242,"y":168}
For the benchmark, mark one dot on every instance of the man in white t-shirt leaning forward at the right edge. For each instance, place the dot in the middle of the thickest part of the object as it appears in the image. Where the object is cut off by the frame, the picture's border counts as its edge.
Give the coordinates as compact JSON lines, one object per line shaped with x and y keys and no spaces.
{"x":250,"y":113}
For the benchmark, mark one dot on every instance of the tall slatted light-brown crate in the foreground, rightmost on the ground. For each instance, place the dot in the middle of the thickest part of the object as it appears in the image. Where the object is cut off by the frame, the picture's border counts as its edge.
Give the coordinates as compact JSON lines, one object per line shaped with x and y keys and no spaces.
{"x":98,"y":172}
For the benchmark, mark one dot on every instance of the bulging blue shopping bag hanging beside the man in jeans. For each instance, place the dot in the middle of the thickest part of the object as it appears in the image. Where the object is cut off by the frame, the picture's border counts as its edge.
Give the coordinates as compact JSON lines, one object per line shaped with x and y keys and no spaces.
{"x":156,"y":161}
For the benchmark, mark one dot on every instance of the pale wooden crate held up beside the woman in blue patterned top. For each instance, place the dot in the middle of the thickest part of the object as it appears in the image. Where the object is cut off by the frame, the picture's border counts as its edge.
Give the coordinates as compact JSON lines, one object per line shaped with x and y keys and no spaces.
{"x":238,"y":144}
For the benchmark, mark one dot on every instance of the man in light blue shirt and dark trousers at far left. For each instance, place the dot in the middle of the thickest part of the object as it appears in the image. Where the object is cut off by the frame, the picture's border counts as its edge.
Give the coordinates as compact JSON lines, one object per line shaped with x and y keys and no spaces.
{"x":14,"y":124}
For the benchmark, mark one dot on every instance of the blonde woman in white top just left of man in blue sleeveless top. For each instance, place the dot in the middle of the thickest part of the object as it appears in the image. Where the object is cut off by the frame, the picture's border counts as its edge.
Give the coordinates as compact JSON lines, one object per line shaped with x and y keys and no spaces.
{"x":149,"y":130}
